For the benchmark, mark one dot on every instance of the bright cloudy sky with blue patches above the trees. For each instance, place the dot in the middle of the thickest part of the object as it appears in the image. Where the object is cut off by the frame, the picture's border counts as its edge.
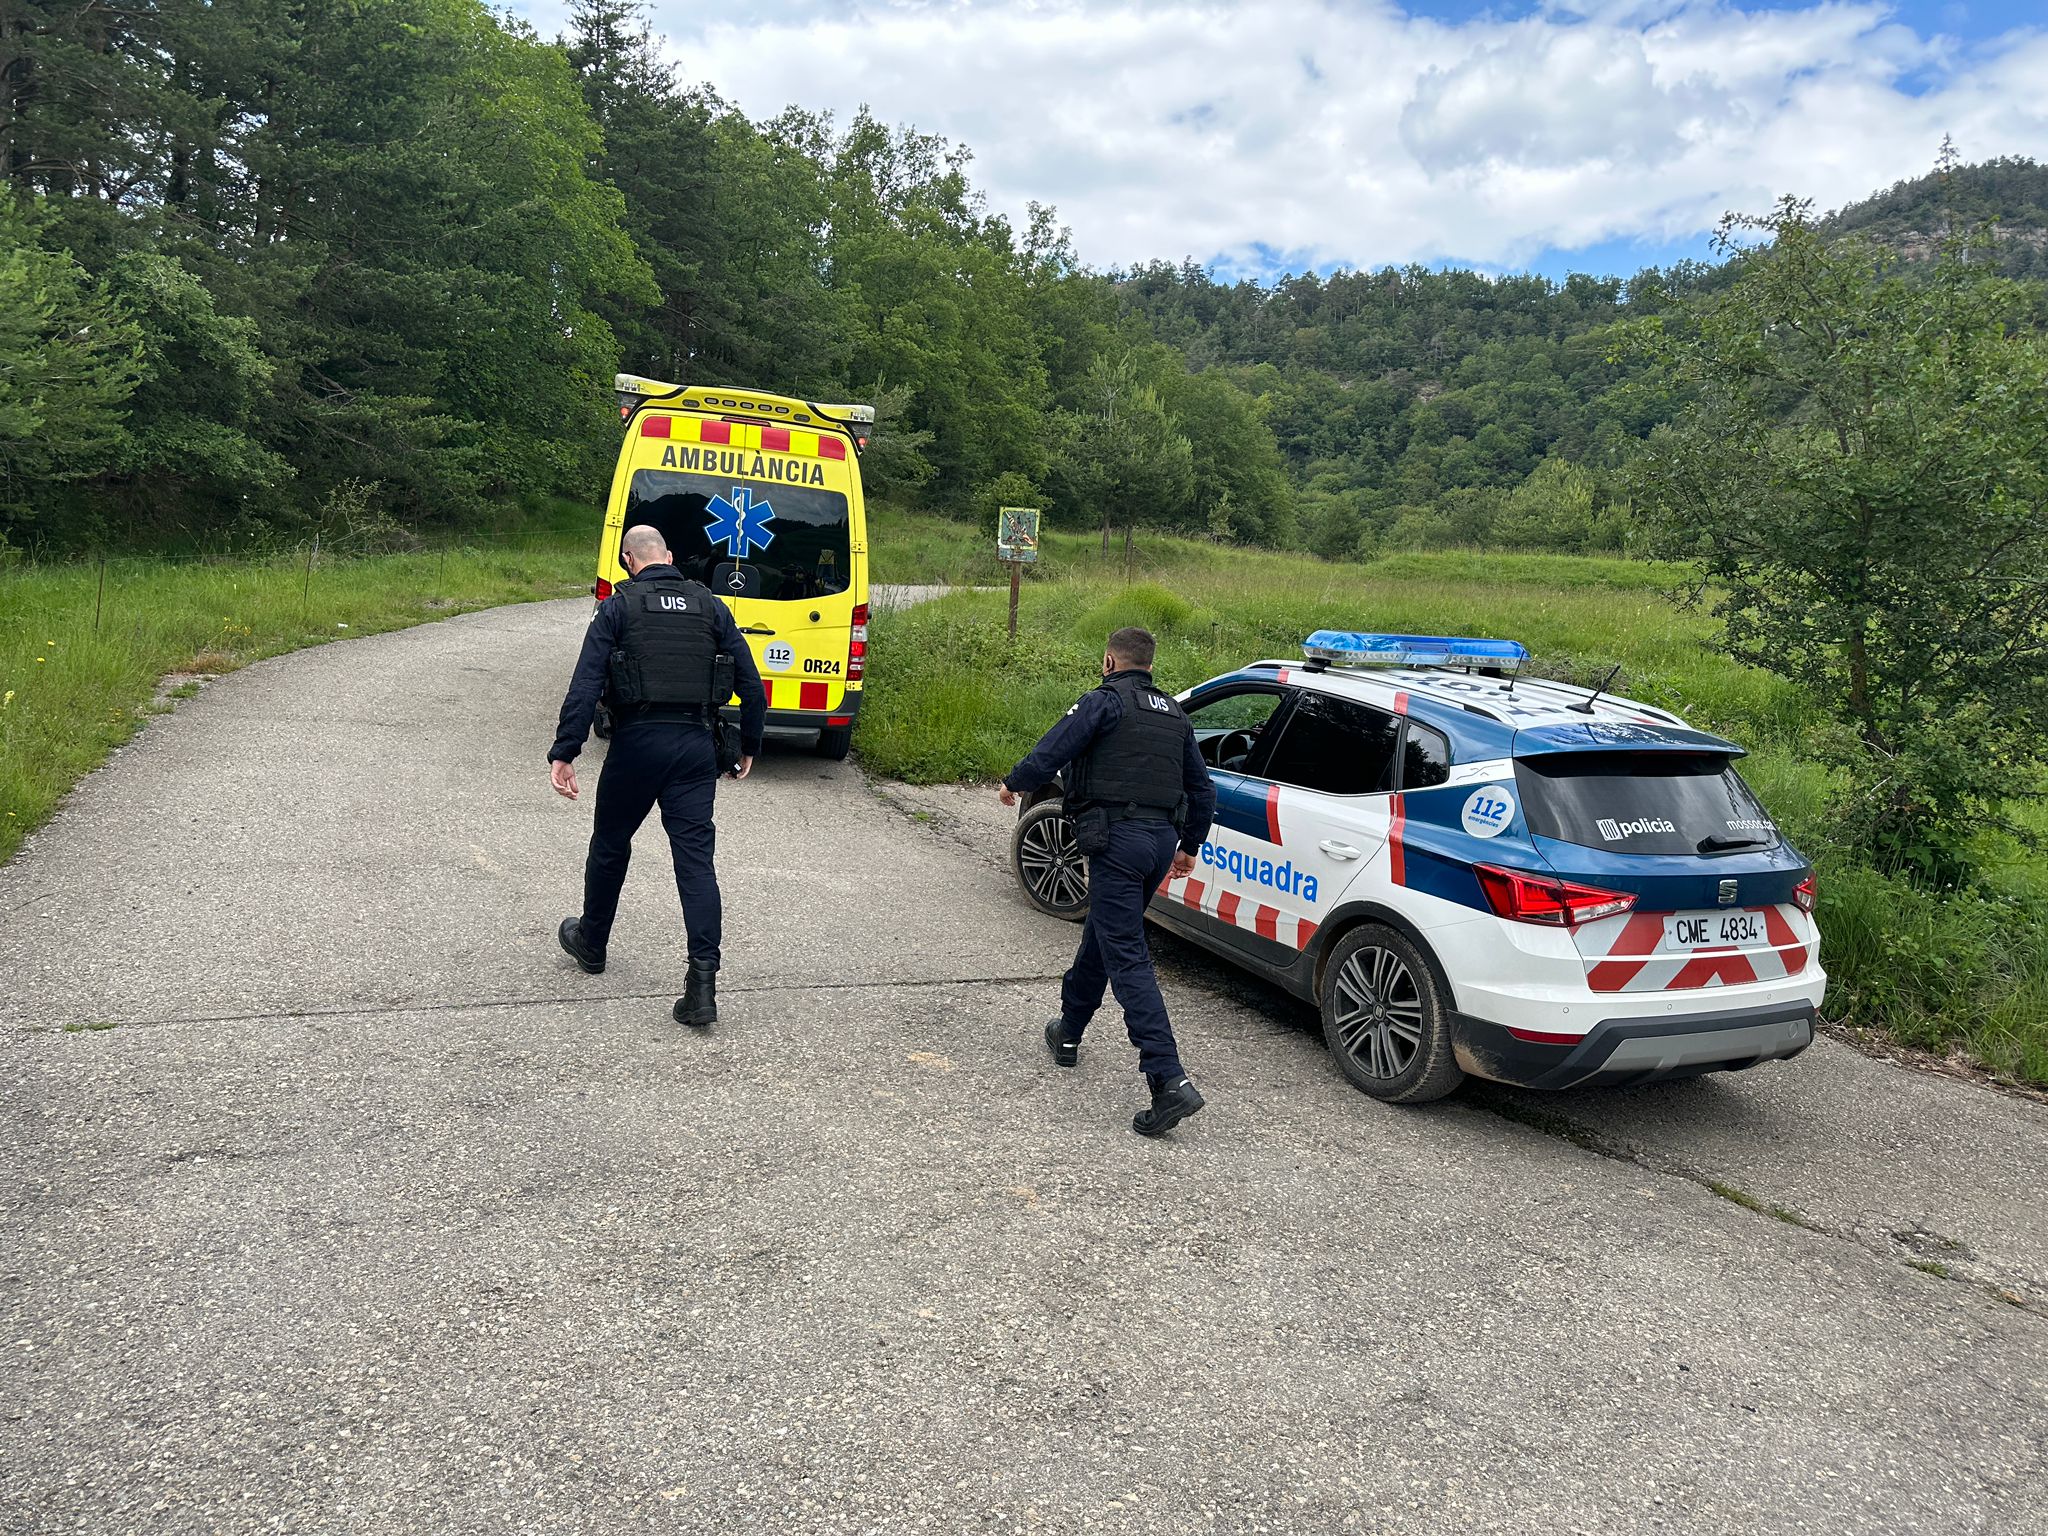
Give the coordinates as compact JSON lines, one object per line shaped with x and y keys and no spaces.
{"x":1521,"y":134}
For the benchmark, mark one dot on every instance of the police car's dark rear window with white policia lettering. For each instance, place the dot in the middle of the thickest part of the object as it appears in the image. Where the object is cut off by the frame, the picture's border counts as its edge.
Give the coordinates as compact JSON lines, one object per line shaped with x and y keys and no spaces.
{"x":1644,"y":804}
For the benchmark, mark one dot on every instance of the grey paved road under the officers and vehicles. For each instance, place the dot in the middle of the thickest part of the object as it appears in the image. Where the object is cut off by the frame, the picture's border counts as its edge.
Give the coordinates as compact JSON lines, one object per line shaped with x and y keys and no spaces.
{"x":337,"y":1201}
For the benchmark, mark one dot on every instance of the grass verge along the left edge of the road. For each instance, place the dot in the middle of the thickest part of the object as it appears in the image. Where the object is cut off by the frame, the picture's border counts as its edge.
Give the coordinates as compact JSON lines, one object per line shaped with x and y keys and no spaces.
{"x":81,"y":663}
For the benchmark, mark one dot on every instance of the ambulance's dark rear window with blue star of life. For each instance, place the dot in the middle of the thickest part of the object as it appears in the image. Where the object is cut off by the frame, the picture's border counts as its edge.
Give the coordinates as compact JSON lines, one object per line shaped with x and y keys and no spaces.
{"x":749,"y":540}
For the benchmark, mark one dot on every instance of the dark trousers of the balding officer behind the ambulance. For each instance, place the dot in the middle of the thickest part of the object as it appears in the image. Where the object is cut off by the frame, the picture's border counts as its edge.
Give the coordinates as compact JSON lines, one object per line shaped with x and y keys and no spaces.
{"x":667,"y":763}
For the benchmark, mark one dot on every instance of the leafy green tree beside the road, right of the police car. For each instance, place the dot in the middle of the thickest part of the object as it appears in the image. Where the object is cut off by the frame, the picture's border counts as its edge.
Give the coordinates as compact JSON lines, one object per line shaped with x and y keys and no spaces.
{"x":1863,"y":476}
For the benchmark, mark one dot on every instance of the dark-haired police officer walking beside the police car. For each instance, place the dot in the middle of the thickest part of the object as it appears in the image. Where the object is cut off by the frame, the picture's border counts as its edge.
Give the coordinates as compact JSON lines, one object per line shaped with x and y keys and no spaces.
{"x":1142,"y":804}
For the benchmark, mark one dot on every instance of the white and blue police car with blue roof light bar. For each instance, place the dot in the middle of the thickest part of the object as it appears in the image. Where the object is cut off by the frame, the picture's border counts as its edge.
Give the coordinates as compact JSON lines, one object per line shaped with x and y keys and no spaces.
{"x":1482,"y":873}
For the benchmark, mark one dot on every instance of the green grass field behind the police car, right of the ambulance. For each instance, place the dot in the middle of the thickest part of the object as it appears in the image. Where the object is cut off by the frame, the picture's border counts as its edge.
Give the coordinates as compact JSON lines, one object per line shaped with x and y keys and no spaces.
{"x":953,"y":699}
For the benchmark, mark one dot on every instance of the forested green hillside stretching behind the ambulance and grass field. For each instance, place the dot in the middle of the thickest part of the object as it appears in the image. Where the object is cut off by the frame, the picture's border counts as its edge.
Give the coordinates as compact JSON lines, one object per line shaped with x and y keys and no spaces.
{"x":273,"y":267}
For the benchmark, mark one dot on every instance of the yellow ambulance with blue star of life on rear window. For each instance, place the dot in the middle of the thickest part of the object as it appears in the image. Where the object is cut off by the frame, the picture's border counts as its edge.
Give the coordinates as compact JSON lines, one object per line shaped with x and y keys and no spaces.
{"x":759,"y":499}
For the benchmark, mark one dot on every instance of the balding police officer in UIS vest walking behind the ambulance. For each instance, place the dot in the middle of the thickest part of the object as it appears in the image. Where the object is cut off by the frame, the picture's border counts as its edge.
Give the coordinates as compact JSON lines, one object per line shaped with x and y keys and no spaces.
{"x":665,"y":654}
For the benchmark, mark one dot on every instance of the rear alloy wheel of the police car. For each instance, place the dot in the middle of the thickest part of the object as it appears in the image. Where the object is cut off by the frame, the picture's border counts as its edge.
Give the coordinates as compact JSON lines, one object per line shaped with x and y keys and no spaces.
{"x":1385,"y":1021}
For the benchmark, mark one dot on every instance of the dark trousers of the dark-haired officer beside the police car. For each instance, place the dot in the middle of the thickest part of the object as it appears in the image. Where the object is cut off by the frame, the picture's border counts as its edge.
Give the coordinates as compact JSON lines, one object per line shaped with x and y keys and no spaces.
{"x":1113,"y":943}
